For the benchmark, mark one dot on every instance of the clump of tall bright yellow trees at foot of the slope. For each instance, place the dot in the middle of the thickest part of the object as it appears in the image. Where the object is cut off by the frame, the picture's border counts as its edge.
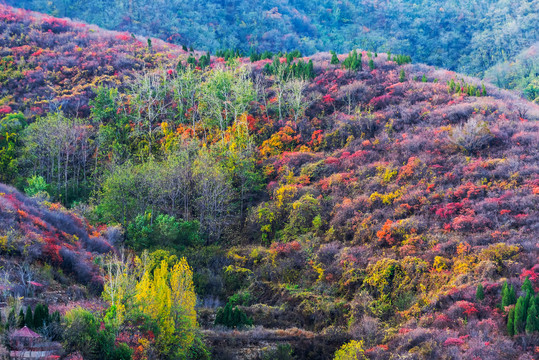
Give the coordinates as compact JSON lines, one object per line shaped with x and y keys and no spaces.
{"x":164,"y":294}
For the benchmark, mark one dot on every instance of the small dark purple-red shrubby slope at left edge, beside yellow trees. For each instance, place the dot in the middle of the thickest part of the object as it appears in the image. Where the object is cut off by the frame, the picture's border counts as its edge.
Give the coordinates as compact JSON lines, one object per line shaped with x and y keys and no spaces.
{"x":47,"y":249}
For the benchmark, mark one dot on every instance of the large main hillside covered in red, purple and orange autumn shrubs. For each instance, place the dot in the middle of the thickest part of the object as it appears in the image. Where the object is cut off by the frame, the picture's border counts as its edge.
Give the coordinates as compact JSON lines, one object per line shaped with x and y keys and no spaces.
{"x":354,"y":199}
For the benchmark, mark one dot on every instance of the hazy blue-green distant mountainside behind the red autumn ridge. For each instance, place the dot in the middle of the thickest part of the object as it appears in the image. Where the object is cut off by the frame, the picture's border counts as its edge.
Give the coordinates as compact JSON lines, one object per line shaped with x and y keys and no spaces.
{"x":450,"y":34}
